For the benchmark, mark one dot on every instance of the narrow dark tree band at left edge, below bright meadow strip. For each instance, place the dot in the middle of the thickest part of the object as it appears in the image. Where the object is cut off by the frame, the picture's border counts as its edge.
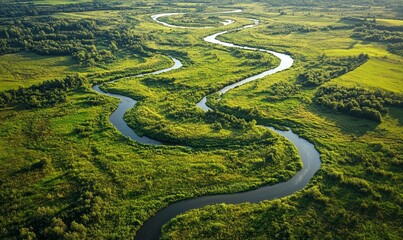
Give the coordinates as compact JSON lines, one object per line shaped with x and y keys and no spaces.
{"x":45,"y":94}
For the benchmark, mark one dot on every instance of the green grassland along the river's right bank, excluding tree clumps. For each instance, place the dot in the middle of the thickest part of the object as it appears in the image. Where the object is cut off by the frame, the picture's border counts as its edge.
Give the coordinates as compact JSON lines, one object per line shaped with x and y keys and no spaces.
{"x":354,"y":152}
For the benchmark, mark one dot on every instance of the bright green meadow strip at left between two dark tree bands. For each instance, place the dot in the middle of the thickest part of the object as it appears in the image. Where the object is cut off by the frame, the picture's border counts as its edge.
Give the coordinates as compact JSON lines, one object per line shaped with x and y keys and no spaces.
{"x":26,"y":69}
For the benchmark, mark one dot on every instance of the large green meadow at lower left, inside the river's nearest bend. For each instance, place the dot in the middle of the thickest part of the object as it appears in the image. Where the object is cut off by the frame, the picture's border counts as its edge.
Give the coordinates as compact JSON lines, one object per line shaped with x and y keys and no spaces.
{"x":101,"y":168}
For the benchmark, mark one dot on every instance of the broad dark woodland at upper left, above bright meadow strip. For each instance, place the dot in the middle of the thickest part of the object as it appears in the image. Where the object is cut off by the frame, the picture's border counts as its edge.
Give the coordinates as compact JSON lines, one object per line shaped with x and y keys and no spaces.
{"x":83,"y":39}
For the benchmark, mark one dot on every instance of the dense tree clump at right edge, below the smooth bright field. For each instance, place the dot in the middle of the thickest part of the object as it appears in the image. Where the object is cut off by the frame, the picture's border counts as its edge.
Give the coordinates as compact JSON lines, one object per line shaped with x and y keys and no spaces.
{"x":358,"y":102}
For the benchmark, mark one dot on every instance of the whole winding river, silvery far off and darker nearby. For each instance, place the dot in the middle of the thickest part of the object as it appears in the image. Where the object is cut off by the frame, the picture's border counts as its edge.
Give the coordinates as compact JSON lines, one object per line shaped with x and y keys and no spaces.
{"x":151,"y":229}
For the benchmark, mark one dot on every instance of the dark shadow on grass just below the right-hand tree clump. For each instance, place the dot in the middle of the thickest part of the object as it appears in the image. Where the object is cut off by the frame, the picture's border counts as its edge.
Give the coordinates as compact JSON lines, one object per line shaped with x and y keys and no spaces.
{"x":347,"y":124}
